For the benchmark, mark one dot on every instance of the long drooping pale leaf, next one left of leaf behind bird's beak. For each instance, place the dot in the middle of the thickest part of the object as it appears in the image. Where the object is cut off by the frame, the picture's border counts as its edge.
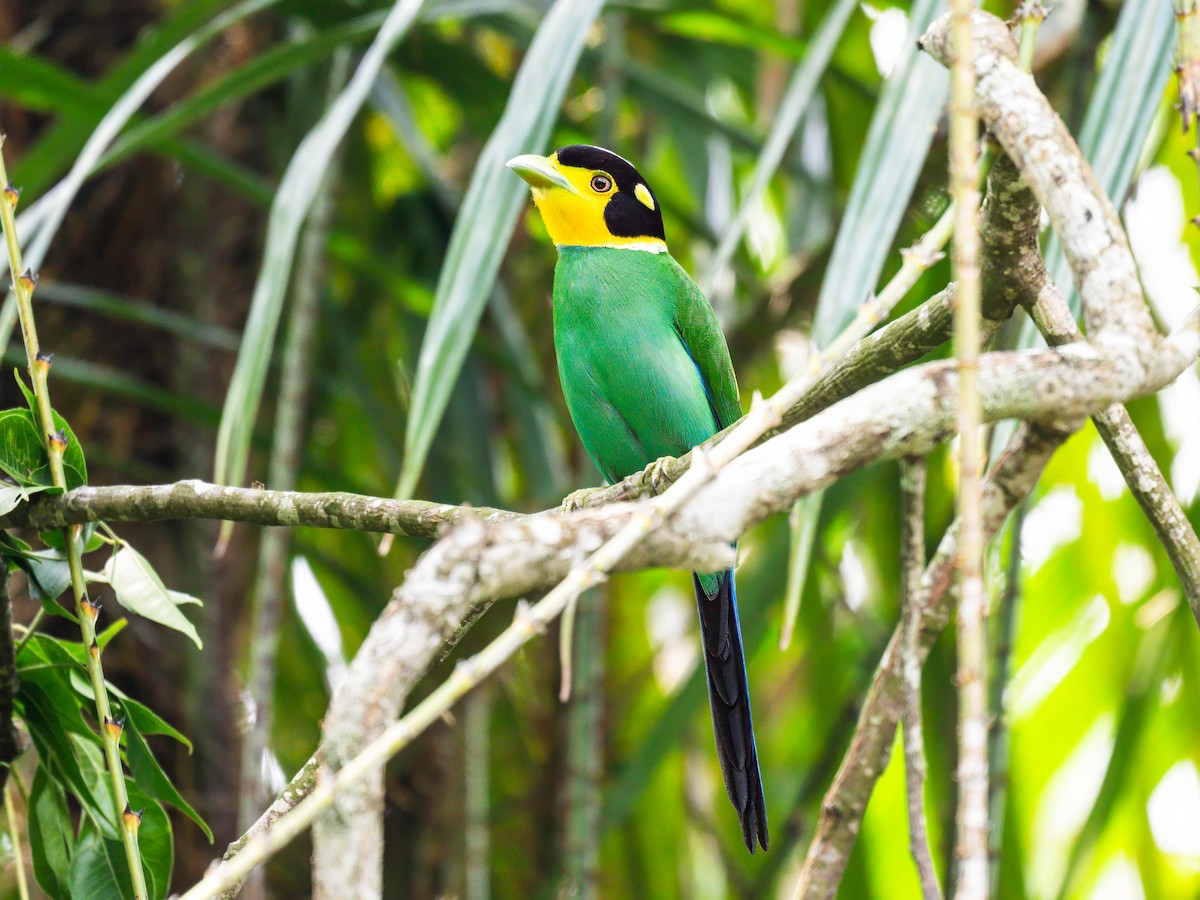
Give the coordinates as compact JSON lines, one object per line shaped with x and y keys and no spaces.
{"x":293,"y":201}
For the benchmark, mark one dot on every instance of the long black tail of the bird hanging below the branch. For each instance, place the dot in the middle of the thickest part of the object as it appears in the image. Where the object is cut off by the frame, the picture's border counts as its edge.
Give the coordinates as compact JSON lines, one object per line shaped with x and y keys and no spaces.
{"x":729,"y":698}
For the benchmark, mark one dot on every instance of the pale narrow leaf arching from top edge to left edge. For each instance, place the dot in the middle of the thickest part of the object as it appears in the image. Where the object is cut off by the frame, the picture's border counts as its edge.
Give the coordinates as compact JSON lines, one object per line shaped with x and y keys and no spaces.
{"x":50,"y":212}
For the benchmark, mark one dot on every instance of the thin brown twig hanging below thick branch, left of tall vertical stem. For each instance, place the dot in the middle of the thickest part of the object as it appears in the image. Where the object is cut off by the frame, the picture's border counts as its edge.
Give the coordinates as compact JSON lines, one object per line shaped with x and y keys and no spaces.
{"x":913,"y":565}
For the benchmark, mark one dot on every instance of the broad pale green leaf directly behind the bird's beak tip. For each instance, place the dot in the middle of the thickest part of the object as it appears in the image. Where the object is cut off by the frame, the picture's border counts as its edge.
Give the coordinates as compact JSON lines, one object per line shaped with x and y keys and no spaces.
{"x":489,"y":213}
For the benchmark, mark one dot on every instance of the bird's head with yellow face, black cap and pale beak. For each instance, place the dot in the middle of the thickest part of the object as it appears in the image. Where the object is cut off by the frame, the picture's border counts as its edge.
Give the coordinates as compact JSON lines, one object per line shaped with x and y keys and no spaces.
{"x":593,"y":199}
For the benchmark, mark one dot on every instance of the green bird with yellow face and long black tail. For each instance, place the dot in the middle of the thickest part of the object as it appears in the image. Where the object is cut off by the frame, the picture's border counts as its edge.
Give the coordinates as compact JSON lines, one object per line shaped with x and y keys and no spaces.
{"x":647,"y":375}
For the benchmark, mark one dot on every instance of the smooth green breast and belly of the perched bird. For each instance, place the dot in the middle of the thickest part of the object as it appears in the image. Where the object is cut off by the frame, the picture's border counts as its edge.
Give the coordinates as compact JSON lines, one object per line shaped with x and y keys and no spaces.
{"x":632,"y":387}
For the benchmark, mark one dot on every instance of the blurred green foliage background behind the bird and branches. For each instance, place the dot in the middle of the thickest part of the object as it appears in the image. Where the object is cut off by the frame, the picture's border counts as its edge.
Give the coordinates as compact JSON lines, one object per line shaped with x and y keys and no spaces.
{"x":147,"y":289}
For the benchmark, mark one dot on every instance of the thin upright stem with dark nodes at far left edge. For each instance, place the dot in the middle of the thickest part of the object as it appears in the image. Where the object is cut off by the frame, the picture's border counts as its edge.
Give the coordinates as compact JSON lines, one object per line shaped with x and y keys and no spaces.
{"x":56,"y":446}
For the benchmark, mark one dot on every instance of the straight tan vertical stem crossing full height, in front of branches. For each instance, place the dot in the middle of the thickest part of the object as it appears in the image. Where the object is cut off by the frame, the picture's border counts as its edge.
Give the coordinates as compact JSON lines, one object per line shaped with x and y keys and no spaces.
{"x":971,"y":847}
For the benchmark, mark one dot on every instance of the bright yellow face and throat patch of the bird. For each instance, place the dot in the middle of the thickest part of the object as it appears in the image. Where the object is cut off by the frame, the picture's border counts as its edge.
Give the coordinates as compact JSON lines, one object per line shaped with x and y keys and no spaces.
{"x":577,"y":219}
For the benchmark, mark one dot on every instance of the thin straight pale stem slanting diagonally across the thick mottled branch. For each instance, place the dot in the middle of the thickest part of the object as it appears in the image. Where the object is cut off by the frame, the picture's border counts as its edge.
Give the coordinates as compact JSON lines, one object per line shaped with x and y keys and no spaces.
{"x":531,"y":621}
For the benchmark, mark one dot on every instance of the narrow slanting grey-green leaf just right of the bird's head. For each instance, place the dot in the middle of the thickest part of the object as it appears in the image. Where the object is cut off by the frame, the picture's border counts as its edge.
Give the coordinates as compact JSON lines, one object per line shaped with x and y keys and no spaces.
{"x":788,"y":119}
